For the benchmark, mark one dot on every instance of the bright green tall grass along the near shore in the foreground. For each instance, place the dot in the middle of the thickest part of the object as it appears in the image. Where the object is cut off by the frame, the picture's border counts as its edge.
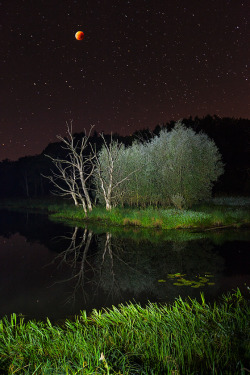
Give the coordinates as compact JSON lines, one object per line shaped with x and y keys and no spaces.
{"x":184,"y":338}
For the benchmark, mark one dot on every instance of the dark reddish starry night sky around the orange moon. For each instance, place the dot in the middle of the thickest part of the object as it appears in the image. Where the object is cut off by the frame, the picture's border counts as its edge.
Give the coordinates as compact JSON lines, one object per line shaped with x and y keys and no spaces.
{"x":141,"y":63}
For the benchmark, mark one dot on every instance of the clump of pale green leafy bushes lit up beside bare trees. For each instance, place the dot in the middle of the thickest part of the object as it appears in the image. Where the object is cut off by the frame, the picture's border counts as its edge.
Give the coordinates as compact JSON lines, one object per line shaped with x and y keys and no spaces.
{"x":176,"y":168}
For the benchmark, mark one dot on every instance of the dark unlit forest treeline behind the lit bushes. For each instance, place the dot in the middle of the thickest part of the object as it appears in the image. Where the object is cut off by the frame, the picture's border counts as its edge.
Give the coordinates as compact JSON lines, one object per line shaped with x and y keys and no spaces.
{"x":24,"y":178}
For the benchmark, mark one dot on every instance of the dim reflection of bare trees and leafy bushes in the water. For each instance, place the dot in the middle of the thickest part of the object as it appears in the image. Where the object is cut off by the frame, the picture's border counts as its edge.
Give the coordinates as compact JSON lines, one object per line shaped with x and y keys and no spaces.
{"x":108,"y":267}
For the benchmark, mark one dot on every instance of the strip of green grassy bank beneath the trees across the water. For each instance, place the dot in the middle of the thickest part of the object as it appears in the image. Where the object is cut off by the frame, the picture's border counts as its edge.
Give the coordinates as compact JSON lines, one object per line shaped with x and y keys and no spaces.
{"x":217,"y":213}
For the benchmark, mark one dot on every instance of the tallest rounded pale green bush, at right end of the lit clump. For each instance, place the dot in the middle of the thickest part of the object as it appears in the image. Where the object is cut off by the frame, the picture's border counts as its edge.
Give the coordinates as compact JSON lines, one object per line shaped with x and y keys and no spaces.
{"x":189,"y":164}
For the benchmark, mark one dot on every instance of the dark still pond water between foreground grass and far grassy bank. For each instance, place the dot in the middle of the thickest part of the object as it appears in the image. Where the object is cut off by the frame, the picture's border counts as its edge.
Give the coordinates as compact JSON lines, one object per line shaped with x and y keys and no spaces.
{"x":51,"y":269}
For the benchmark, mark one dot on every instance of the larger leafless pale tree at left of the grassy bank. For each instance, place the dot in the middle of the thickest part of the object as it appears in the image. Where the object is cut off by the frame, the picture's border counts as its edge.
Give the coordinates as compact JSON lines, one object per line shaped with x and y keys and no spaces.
{"x":74,"y":170}
